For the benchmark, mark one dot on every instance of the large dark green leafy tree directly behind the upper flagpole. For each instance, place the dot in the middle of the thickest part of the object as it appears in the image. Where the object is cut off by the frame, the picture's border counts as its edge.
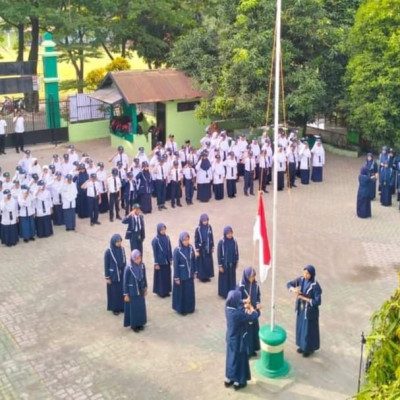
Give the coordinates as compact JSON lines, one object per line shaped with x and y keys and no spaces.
{"x":230,"y":55}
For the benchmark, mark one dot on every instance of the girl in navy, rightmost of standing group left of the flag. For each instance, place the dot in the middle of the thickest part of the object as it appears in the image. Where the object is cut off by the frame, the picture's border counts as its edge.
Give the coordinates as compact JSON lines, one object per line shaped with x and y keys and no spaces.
{"x":228,"y":257}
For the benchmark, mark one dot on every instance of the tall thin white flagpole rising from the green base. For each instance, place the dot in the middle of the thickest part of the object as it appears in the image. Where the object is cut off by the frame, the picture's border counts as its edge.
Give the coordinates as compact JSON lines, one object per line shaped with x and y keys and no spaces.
{"x":276,"y":131}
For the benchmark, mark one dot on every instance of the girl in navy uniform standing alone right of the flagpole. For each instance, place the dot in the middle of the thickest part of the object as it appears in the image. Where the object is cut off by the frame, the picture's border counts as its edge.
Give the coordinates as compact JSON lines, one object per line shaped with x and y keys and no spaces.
{"x":308,"y":292}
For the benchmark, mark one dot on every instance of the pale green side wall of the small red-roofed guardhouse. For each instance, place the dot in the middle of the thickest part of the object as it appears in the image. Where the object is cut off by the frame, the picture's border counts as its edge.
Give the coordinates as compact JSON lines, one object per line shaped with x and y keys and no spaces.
{"x":183,"y":124}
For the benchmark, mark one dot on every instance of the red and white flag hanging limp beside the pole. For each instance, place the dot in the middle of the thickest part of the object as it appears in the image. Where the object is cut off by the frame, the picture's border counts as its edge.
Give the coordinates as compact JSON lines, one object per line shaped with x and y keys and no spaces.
{"x":260,"y":234}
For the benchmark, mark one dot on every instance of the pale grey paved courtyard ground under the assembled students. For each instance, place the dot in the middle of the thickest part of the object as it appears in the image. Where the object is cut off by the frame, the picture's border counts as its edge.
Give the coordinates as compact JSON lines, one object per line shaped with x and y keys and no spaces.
{"x":57,"y":341}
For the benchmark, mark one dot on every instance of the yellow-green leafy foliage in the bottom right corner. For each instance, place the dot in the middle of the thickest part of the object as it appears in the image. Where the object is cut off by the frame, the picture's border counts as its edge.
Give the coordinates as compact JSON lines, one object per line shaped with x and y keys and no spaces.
{"x":383,"y":343}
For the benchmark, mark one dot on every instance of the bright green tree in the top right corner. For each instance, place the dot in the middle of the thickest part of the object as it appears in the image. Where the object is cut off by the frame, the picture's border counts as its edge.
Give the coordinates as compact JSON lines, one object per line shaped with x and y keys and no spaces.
{"x":373,"y":72}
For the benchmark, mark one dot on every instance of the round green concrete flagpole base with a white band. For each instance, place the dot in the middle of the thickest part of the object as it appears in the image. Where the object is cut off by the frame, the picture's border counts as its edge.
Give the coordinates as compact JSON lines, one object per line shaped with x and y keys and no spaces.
{"x":272,"y":363}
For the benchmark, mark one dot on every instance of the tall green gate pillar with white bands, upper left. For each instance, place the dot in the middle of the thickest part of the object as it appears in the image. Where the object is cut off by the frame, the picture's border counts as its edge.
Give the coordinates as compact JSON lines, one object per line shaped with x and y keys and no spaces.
{"x":50,"y":79}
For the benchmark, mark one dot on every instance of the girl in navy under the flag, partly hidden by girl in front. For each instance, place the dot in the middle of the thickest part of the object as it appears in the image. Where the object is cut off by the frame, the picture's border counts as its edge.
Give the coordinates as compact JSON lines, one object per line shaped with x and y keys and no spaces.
{"x":250,"y":290}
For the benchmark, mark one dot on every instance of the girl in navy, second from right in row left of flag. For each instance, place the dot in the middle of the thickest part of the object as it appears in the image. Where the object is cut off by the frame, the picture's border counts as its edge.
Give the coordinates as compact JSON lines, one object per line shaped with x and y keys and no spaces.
{"x":204,"y":245}
